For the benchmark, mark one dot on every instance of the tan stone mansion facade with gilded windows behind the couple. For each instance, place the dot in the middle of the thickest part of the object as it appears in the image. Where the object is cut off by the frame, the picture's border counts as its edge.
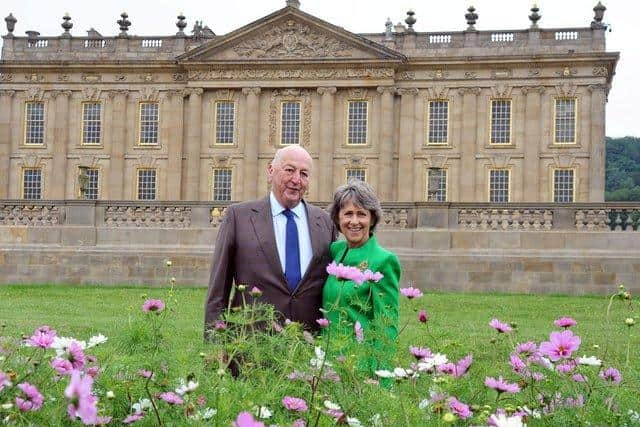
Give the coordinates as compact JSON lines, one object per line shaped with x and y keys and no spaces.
{"x":466,"y":116}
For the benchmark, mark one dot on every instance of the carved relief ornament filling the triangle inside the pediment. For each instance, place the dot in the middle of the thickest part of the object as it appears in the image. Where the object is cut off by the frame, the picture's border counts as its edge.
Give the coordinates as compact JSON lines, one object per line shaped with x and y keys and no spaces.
{"x":292,"y":39}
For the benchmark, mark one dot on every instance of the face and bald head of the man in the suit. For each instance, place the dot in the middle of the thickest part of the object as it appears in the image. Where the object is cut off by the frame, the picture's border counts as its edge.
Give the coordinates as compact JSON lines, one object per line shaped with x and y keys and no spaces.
{"x":289,"y":177}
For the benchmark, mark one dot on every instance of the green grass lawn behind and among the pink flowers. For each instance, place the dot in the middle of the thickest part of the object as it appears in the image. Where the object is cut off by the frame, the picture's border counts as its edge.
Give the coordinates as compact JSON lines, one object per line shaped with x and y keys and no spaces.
{"x":458,"y":325}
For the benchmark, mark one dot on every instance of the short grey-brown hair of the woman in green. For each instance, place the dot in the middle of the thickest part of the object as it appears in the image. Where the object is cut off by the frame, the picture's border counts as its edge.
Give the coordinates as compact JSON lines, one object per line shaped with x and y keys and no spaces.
{"x":361,"y":194}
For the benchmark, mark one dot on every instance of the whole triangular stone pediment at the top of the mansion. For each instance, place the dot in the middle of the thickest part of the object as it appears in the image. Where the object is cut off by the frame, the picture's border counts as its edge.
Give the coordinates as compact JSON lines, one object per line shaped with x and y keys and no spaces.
{"x":286,"y":35}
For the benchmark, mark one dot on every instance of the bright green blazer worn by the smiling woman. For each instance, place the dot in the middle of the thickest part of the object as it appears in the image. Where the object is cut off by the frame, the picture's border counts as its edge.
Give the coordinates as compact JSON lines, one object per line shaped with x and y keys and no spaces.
{"x":375,"y":305}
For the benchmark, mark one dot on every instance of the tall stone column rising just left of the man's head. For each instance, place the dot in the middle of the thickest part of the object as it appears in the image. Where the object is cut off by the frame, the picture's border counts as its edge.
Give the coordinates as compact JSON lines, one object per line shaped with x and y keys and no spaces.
{"x":250,"y":135}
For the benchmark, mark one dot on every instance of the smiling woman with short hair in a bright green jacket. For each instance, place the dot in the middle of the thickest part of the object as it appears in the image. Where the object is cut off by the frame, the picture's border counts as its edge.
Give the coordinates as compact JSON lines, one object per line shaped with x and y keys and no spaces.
{"x":372,"y":305}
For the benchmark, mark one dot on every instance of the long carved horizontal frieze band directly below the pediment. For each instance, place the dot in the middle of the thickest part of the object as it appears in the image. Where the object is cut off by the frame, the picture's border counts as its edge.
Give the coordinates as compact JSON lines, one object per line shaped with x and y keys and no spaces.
{"x":294,"y":74}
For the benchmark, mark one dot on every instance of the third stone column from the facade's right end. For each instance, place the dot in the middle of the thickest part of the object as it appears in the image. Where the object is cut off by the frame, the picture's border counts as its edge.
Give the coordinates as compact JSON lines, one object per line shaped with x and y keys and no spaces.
{"x":468,"y":144}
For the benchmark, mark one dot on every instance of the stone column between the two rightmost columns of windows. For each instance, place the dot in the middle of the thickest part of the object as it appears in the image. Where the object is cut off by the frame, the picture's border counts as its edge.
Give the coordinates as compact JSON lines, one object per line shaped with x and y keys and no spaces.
{"x":532,"y":144}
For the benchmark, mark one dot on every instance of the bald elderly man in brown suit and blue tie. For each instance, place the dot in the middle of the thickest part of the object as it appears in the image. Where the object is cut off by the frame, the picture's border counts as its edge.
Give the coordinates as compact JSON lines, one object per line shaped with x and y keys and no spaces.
{"x":279,"y":243}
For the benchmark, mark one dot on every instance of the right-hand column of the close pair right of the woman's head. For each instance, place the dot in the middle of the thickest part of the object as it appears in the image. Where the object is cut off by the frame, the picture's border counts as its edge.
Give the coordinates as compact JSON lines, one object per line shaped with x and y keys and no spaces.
{"x":405,"y":177}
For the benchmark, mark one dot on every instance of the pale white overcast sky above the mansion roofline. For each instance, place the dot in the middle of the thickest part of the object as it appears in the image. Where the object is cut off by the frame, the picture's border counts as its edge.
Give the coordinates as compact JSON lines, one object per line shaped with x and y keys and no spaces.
{"x":158,"y":17}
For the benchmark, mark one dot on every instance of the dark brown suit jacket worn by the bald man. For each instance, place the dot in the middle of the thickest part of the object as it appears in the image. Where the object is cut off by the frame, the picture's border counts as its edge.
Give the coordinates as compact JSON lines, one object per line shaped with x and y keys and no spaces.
{"x":245,"y":252}
